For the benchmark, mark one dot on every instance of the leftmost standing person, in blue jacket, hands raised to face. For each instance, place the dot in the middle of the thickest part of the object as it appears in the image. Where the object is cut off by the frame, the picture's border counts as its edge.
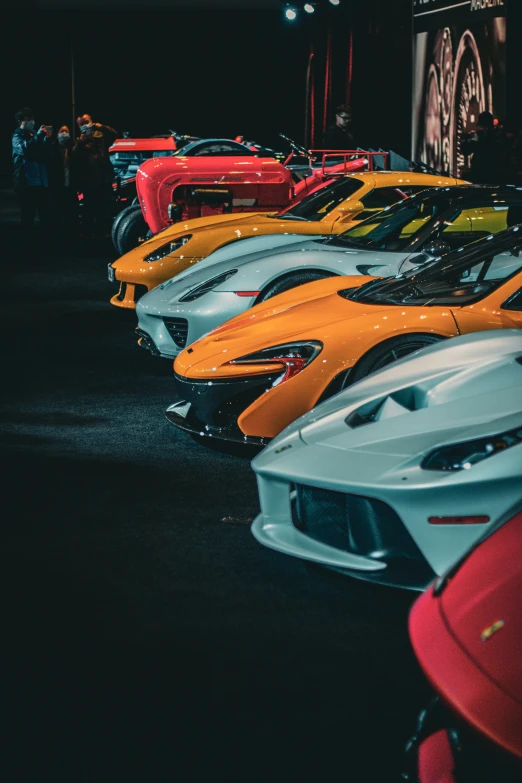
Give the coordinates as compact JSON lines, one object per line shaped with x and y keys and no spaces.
{"x":31,"y":151}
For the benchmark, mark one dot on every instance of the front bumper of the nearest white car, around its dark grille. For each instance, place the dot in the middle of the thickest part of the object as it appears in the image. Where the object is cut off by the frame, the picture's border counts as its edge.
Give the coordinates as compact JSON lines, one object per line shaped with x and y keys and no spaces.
{"x":353,"y":511}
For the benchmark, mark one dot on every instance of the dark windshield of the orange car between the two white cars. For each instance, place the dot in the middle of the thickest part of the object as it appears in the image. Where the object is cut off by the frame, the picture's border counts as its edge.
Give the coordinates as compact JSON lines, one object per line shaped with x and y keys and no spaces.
{"x":458,"y":278}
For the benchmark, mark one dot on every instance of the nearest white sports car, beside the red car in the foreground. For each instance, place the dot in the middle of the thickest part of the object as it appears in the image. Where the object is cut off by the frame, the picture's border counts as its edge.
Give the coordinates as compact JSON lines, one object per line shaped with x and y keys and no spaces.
{"x":395,"y":478}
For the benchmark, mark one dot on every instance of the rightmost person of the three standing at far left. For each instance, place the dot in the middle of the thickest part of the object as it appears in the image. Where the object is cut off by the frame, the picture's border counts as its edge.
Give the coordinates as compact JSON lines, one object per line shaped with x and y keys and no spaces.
{"x":94,"y":174}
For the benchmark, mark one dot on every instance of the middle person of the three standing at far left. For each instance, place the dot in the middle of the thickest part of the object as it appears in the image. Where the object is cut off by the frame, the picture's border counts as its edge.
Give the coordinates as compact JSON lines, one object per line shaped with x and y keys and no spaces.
{"x":63,"y":191}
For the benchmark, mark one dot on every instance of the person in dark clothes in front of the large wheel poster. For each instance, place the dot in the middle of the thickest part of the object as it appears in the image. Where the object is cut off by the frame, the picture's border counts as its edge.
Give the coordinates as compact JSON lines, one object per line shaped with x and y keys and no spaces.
{"x":490,"y":148}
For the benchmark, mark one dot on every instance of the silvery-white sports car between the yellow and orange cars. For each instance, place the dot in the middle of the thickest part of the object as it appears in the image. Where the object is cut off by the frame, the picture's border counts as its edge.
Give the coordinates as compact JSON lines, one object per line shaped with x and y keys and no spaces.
{"x":236,"y":277}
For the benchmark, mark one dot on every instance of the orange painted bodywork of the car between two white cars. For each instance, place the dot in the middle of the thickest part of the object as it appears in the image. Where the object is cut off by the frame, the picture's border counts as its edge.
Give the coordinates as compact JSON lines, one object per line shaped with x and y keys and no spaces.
{"x":347,"y":329}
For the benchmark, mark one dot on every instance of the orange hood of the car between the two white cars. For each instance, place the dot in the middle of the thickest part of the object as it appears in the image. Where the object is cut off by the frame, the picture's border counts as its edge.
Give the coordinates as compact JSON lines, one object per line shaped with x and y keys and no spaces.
{"x":299,"y":314}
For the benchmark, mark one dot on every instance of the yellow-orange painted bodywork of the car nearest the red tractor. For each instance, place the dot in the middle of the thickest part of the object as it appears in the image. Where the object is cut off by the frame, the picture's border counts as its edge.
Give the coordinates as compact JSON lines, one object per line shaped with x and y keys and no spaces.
{"x":210,"y":233}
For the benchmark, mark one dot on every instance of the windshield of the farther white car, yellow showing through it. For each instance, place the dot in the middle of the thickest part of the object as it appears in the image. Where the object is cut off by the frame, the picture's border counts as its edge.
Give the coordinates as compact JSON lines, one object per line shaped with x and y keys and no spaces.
{"x":398,"y":227}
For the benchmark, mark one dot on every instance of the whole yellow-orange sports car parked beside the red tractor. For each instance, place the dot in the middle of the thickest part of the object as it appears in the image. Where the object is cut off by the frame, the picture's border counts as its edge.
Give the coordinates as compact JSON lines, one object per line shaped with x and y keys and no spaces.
{"x":331,"y":209}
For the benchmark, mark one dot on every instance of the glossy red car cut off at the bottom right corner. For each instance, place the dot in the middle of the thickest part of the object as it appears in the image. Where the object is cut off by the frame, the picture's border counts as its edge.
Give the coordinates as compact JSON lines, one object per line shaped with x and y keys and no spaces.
{"x":466,"y":631}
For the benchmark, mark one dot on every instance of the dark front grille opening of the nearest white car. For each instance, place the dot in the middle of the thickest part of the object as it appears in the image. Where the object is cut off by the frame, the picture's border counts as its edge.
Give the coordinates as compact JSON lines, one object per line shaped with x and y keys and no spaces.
{"x":360,"y":525}
